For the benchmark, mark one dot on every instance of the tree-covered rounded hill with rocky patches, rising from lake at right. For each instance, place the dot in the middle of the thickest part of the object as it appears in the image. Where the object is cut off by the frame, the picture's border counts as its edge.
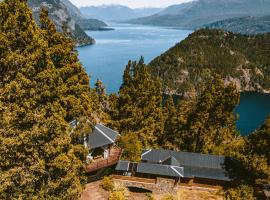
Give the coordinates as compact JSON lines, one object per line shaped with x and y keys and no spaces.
{"x":243,"y":60}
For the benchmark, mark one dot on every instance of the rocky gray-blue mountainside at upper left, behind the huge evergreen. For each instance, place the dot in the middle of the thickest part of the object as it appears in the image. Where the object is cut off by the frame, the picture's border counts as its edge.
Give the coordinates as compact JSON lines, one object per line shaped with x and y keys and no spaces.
{"x":63,"y":11}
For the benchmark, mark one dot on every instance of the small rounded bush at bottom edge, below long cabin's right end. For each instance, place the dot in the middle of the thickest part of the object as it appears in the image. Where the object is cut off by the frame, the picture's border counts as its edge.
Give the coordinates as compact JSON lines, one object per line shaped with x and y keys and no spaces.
{"x":239,"y":193}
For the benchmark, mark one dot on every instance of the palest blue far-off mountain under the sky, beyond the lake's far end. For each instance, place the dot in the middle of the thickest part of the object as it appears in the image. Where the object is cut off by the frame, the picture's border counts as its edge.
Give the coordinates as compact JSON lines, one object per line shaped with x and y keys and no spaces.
{"x":116,"y":12}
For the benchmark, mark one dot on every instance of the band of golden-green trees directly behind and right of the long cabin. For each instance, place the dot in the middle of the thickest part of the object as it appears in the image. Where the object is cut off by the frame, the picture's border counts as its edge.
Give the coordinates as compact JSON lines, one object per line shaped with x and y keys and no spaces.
{"x":203,"y":124}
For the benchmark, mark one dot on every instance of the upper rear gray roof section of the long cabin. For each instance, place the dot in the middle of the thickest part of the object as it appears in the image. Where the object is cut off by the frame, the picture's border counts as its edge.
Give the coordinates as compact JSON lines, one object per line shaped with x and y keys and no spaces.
{"x":194,"y":164}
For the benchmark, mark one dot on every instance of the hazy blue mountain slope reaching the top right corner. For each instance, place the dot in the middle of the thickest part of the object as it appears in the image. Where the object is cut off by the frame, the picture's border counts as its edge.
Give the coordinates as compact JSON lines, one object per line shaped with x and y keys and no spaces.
{"x":198,"y":13}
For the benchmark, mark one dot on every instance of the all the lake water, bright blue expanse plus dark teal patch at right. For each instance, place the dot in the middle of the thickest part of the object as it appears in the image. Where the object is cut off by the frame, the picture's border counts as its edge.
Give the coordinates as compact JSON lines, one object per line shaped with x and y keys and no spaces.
{"x":106,"y":60}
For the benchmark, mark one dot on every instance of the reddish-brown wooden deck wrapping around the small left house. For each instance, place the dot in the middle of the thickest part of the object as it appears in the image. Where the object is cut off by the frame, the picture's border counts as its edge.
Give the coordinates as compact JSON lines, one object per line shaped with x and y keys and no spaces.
{"x":102,"y":163}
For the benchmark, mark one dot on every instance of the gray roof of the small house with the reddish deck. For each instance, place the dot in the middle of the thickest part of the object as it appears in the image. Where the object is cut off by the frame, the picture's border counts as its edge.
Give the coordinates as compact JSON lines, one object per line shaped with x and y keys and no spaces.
{"x":101,"y":136}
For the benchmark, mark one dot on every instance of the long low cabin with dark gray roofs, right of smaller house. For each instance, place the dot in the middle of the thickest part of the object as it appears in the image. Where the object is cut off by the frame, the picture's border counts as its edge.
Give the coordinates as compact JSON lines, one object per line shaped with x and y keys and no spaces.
{"x":181,"y":167}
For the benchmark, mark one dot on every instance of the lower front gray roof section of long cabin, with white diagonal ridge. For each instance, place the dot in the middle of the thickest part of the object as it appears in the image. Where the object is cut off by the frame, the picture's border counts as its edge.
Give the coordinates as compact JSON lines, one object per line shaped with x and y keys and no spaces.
{"x":158,"y":169}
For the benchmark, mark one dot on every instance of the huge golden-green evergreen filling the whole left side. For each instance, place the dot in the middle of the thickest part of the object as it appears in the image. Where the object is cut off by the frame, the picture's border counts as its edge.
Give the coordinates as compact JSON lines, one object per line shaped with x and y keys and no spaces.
{"x":42,"y":87}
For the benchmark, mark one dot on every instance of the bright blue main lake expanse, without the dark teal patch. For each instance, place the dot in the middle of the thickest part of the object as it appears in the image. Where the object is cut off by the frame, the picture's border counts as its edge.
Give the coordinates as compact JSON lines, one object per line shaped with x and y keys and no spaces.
{"x":107,"y":59}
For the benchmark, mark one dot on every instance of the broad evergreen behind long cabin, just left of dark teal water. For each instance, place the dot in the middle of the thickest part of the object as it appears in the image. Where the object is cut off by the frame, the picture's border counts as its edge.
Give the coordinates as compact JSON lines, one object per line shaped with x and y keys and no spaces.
{"x":211,"y":122}
